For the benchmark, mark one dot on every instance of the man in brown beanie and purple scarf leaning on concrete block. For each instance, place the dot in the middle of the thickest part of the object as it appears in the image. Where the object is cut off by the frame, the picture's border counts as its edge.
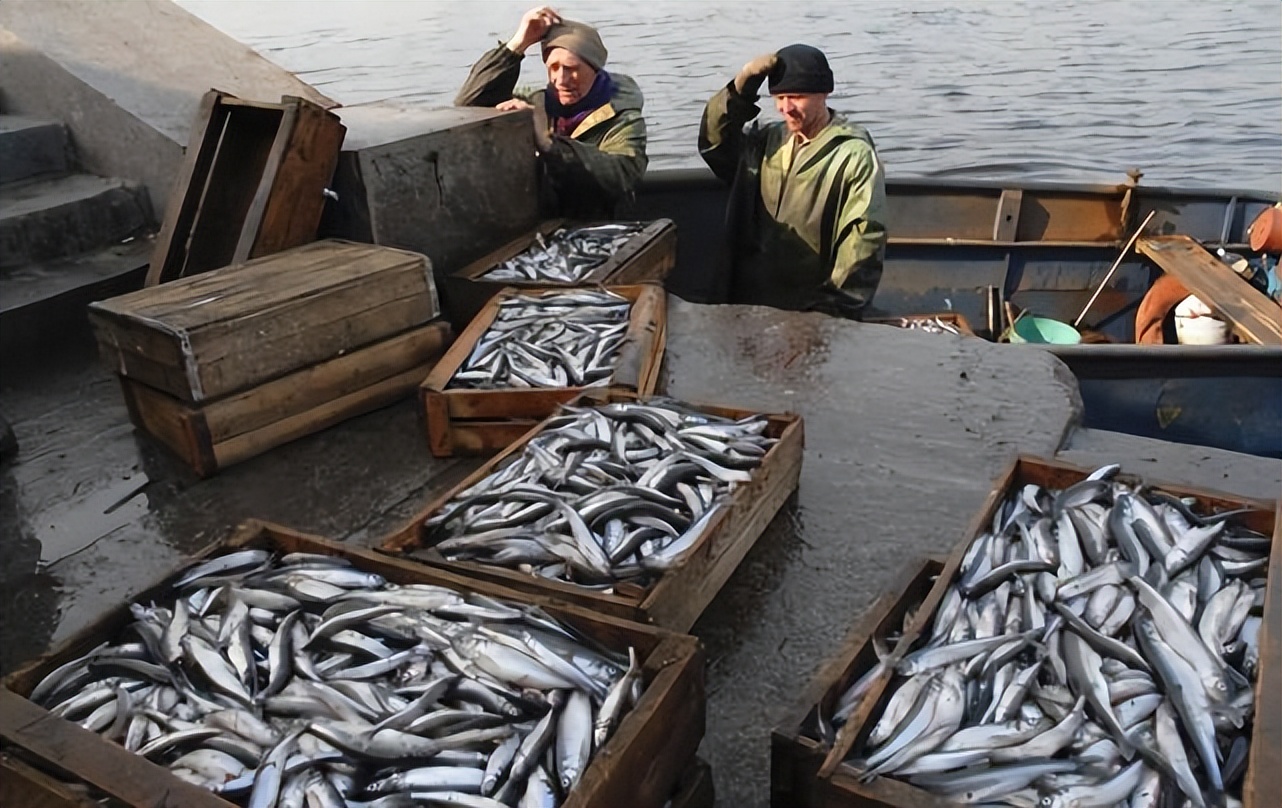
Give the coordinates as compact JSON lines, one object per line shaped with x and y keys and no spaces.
{"x":589,"y":130}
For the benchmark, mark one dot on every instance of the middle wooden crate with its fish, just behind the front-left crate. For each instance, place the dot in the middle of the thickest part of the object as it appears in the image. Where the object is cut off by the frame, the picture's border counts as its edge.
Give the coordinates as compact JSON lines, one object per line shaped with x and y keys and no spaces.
{"x":629,"y":506}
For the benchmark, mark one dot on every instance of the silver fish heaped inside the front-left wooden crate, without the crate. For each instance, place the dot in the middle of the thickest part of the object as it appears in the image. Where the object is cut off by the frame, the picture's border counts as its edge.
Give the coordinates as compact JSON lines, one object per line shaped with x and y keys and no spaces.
{"x":304,"y":682}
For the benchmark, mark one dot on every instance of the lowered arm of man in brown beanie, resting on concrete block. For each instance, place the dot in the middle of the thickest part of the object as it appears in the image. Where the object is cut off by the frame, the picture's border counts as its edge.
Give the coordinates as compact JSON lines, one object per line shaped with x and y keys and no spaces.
{"x":616,"y":166}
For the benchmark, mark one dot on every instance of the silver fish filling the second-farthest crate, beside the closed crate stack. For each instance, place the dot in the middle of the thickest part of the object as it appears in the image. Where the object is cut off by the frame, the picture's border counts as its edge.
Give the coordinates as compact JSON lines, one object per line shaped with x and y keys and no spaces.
{"x":549,"y":341}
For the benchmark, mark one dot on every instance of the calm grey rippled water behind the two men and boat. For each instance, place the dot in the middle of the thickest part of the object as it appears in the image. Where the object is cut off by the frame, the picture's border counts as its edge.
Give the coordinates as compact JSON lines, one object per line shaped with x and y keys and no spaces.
{"x":1072,"y":90}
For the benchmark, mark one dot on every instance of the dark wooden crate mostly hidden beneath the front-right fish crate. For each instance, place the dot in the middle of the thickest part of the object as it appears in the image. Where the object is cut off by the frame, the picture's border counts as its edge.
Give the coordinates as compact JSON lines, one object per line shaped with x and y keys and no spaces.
{"x":797,"y":752}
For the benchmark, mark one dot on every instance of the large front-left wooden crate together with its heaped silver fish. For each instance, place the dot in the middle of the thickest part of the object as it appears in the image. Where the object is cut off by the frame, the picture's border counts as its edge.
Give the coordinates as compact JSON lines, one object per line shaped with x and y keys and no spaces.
{"x":285,"y":670}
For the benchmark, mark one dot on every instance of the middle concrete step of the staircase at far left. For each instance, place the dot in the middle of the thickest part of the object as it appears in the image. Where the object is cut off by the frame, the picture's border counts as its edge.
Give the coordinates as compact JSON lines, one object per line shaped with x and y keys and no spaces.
{"x":56,"y":216}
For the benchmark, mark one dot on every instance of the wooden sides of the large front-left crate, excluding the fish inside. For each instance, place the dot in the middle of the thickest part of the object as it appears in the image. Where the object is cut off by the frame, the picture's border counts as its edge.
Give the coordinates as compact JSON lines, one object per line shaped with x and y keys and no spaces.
{"x":639,"y":766}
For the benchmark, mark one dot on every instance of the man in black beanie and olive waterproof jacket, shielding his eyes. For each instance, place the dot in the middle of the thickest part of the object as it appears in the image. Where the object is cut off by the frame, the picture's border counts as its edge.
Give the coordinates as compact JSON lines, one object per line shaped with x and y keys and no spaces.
{"x":808,"y":196}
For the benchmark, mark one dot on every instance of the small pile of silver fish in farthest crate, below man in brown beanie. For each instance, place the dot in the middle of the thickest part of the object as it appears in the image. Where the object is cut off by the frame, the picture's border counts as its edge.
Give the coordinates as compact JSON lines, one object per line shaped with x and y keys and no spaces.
{"x":569,"y":255}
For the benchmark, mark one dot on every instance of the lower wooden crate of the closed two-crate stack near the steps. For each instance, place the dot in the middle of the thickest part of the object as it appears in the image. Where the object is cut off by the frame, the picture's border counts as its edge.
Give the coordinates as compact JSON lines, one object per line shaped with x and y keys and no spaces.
{"x":217,"y":434}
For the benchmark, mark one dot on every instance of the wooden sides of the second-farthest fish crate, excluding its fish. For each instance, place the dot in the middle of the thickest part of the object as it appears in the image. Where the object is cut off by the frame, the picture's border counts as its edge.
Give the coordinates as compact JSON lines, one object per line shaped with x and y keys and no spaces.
{"x":465,"y":421}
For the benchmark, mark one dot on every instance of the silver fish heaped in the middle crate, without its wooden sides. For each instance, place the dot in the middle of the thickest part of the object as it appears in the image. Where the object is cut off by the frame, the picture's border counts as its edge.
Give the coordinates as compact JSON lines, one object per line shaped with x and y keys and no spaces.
{"x":604,"y":494}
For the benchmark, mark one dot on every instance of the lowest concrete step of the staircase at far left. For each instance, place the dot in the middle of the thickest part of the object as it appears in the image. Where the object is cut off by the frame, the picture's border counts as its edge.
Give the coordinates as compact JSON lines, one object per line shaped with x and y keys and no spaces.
{"x":43,"y":305}
